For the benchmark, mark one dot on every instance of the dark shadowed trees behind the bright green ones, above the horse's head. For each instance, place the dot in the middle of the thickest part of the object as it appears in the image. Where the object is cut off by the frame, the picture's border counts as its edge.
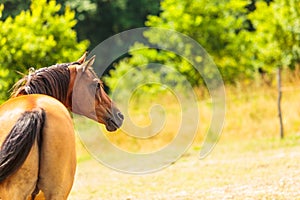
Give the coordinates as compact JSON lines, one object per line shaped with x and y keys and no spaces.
{"x":97,"y":19}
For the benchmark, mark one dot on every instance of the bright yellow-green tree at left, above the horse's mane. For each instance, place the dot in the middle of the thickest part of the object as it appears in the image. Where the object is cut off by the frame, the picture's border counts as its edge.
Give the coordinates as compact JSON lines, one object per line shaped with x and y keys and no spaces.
{"x":36,"y":38}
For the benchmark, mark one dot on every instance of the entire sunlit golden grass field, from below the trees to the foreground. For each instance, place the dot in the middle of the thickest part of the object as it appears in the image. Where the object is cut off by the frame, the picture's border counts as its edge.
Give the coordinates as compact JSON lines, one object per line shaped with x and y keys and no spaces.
{"x":248,"y":162}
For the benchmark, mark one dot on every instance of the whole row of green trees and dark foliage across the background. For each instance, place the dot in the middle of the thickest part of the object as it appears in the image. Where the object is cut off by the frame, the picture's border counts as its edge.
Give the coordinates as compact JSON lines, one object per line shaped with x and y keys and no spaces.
{"x":241,"y":36}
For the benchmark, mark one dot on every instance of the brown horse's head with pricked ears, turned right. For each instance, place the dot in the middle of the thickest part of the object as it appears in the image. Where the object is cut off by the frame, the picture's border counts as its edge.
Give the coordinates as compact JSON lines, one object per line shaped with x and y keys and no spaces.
{"x":88,"y":95}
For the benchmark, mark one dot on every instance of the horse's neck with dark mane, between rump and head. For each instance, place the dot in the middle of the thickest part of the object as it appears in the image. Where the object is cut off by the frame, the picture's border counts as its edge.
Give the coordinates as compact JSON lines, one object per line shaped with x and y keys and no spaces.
{"x":52,"y":81}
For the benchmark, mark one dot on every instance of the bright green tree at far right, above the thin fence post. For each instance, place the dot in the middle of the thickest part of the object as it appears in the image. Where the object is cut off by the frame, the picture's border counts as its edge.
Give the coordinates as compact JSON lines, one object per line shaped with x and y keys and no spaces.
{"x":276,"y":41}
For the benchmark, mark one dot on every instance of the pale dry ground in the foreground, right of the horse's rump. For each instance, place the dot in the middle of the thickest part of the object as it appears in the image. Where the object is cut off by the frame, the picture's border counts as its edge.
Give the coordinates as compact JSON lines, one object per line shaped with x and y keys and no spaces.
{"x":225,"y":174}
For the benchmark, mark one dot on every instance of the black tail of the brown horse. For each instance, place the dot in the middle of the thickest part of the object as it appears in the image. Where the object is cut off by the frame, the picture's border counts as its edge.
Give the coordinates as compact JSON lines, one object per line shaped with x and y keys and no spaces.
{"x":20,"y":140}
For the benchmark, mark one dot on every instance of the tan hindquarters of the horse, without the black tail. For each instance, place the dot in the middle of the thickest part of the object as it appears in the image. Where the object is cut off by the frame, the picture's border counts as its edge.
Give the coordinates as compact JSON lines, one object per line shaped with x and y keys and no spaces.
{"x":46,"y":167}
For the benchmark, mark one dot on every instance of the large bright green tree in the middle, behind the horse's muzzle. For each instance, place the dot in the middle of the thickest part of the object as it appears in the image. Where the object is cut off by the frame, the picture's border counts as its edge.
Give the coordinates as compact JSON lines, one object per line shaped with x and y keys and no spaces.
{"x":219,"y":26}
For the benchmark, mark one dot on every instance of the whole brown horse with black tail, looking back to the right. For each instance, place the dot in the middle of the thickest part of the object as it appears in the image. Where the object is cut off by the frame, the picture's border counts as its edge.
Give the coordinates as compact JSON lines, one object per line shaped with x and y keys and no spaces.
{"x":36,"y":131}
